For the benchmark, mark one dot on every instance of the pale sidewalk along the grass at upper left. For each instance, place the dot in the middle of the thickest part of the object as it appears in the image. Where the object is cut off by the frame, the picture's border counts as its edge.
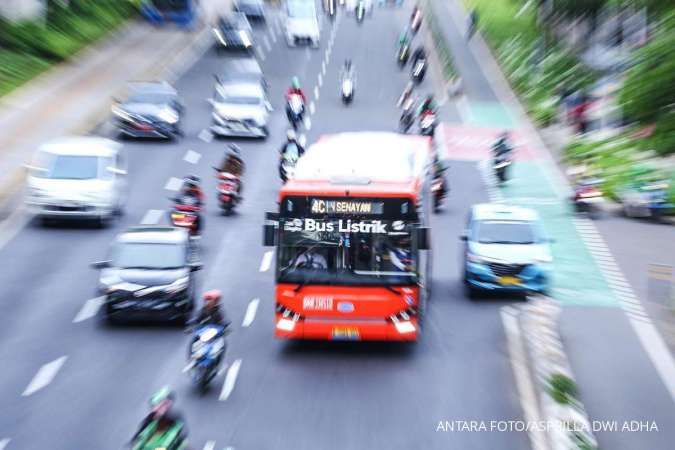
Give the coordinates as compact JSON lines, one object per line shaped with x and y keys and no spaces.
{"x":74,"y":97}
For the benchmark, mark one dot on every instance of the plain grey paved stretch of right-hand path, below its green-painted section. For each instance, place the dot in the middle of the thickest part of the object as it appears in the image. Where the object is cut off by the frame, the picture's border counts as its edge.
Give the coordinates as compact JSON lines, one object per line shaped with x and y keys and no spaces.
{"x":598,"y":342}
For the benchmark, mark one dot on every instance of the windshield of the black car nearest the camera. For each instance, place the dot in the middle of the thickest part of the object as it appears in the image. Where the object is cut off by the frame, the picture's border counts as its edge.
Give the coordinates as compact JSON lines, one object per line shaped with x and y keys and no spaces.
{"x":141,"y":255}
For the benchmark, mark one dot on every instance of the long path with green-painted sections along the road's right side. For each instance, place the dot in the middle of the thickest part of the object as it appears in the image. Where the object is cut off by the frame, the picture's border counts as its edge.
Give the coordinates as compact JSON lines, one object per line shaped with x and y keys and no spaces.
{"x":621,"y":362}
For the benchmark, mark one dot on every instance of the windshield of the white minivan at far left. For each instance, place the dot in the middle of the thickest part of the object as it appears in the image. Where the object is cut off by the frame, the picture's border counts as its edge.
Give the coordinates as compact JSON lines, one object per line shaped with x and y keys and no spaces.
{"x":70,"y":167}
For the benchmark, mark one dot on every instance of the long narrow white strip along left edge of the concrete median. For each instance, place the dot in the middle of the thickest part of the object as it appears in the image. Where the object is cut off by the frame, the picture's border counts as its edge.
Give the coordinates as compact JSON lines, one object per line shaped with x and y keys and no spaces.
{"x":524,"y":383}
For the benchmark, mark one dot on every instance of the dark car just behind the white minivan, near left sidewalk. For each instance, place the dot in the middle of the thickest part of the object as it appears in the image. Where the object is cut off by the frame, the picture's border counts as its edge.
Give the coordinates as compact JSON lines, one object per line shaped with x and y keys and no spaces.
{"x":152,"y":110}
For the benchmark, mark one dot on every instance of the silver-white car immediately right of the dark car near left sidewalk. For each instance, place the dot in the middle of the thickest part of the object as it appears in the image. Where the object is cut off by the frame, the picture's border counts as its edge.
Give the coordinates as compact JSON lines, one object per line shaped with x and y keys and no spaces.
{"x":241,"y":109}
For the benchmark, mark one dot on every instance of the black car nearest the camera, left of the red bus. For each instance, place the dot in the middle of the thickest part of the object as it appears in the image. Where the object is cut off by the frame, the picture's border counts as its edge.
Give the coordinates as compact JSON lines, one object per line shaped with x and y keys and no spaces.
{"x":149,"y":276}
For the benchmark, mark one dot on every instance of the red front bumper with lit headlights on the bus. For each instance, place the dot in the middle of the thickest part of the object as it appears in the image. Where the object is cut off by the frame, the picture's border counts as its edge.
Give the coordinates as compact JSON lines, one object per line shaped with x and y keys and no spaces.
{"x":352,"y":330}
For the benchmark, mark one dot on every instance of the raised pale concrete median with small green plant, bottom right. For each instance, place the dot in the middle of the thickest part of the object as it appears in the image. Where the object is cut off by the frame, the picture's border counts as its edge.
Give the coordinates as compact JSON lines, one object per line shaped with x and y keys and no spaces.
{"x":565,"y":423}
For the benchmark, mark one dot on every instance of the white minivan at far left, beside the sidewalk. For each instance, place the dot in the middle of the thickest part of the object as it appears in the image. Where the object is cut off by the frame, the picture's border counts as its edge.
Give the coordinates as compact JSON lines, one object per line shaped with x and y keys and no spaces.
{"x":77,"y":178}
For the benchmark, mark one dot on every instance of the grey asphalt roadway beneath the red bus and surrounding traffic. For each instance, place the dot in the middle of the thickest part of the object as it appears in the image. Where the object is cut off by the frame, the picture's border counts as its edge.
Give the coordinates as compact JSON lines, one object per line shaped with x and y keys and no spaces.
{"x":285,"y":395}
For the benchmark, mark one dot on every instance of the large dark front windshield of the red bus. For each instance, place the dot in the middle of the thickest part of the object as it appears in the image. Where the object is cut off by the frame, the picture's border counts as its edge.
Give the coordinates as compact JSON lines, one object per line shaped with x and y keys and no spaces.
{"x":342,"y":257}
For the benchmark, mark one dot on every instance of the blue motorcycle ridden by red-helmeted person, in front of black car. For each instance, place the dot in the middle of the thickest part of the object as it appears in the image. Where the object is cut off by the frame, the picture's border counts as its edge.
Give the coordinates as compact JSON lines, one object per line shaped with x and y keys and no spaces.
{"x":206,"y":352}
